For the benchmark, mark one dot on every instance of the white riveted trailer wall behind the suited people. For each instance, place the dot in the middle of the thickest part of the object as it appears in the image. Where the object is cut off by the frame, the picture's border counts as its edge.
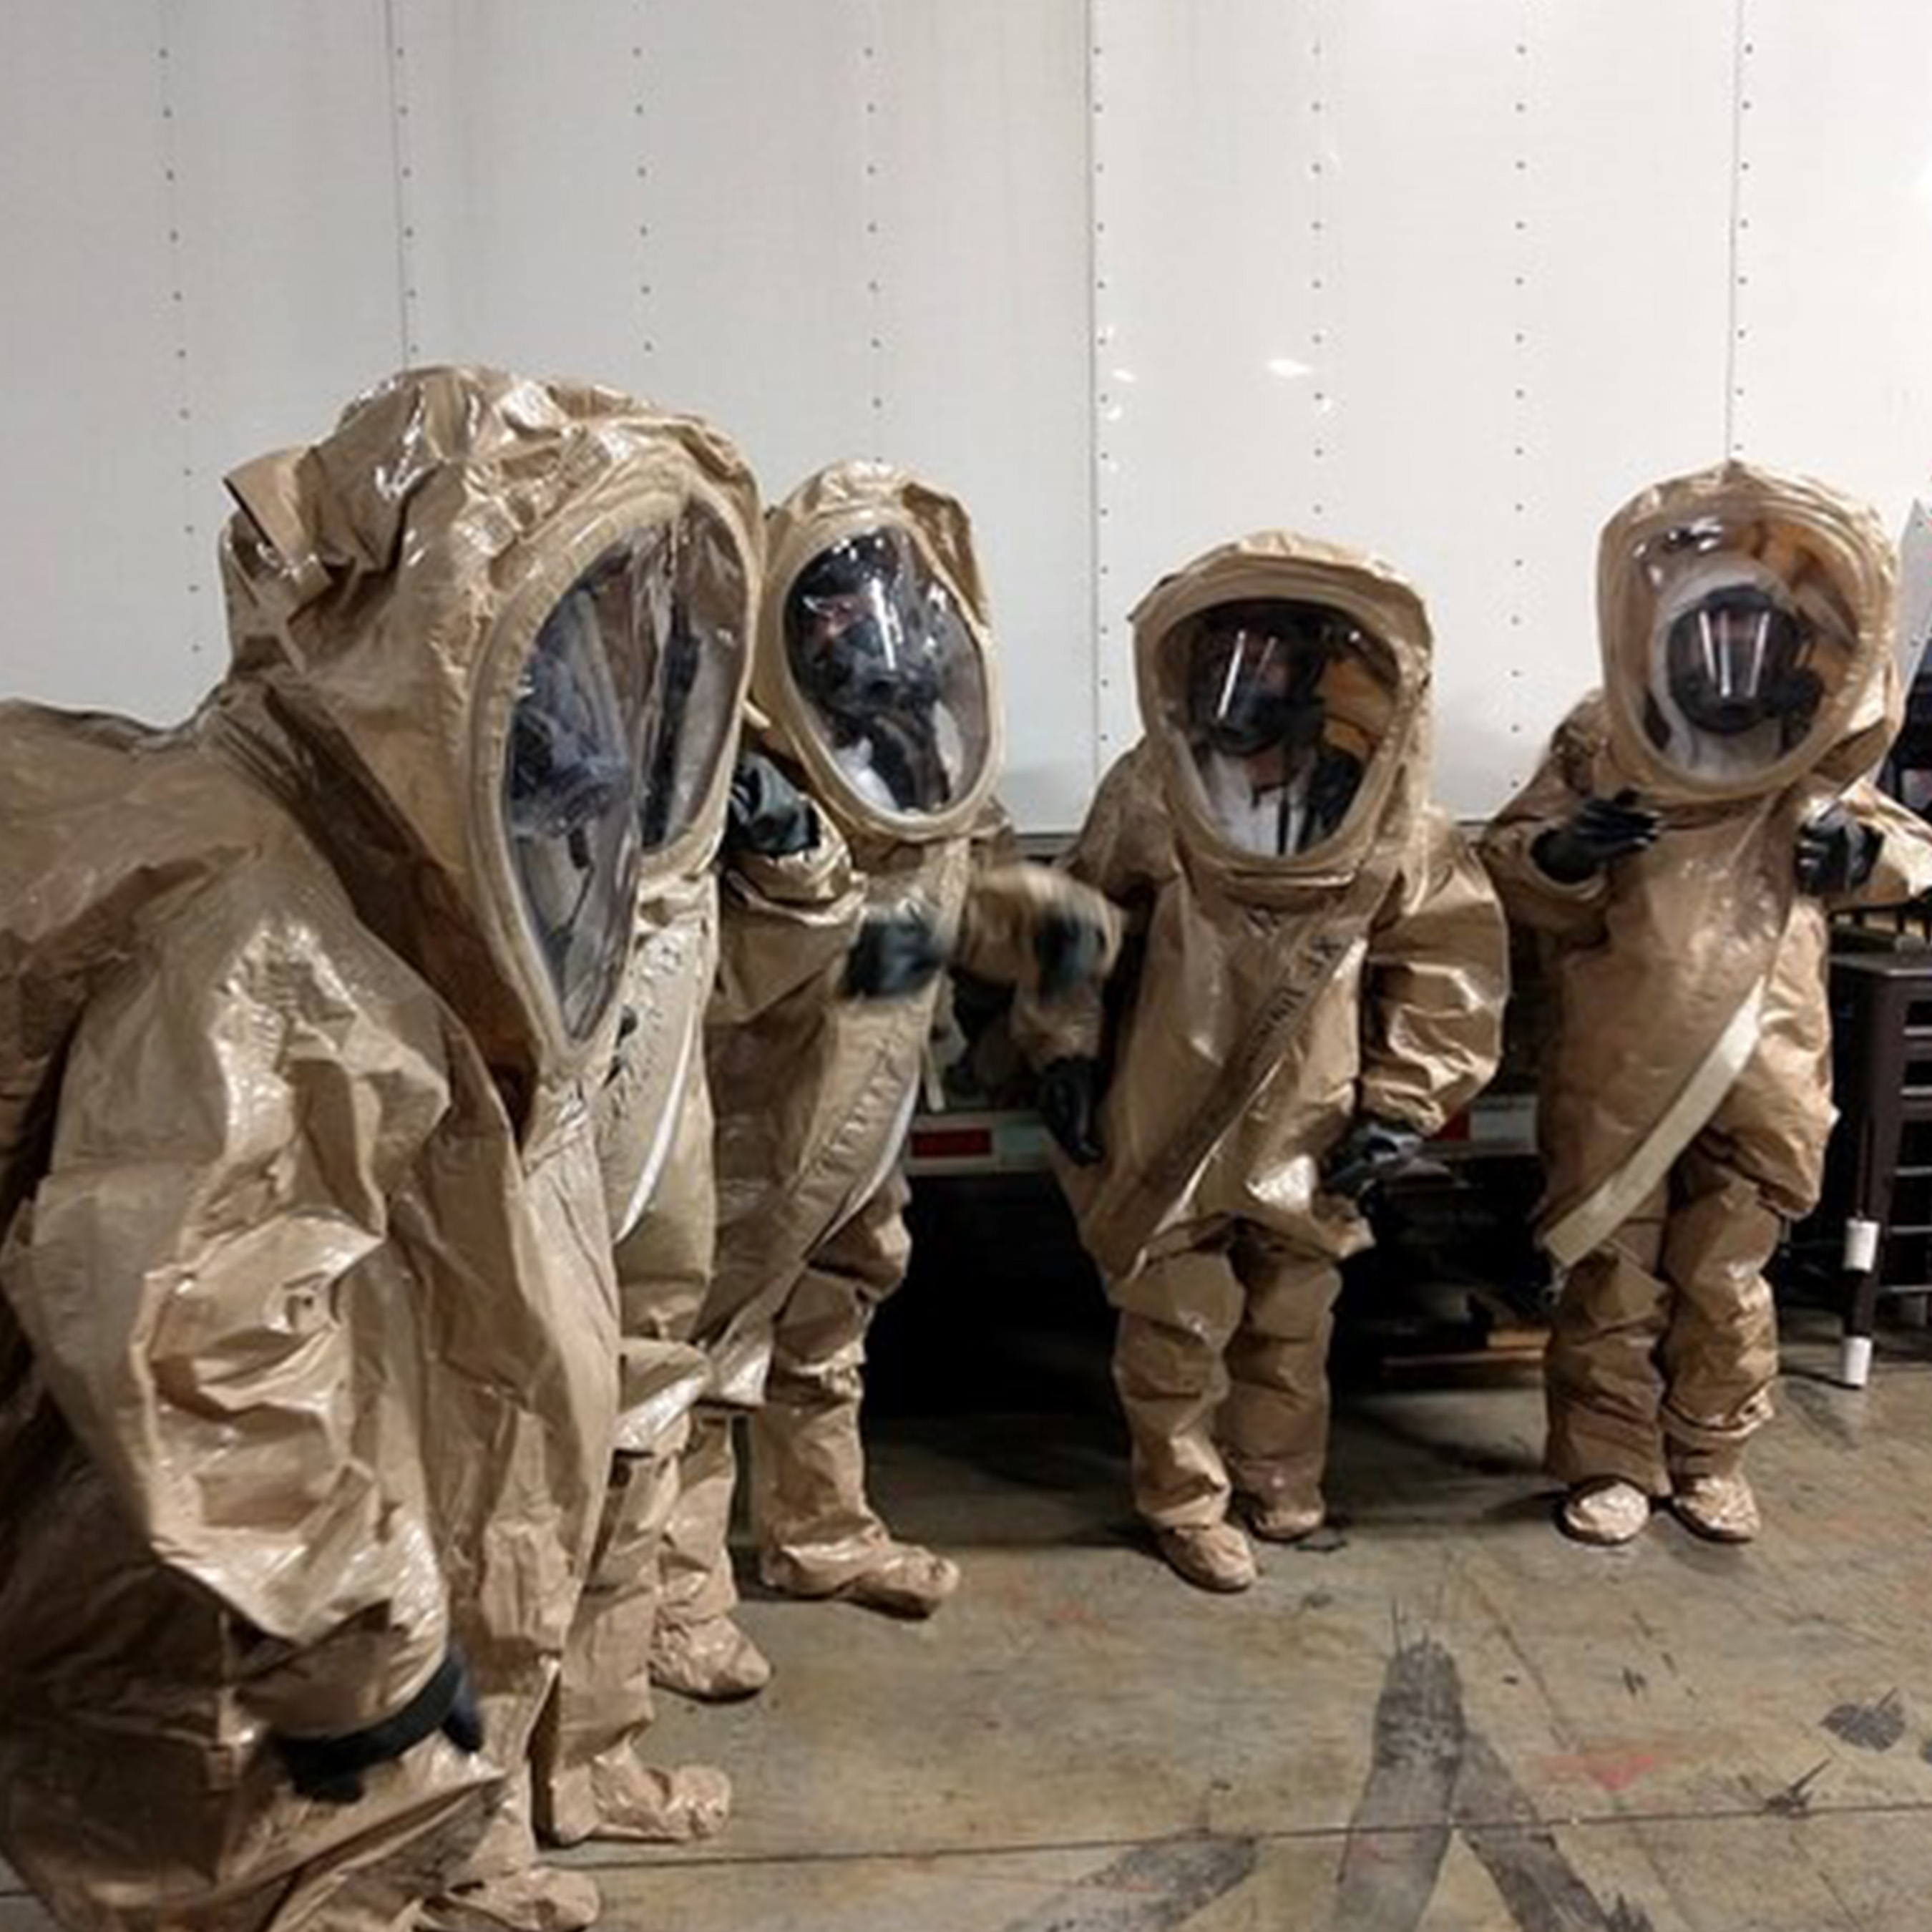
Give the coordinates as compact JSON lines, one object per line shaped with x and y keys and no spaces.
{"x":1131,"y":275}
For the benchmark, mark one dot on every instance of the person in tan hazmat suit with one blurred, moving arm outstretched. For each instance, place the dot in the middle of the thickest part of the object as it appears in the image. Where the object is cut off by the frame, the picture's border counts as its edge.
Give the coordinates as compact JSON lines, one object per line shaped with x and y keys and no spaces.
{"x":870,"y":855}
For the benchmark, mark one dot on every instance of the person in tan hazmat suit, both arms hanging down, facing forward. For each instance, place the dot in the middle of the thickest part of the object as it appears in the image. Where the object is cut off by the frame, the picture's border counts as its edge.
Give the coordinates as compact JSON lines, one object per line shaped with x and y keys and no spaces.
{"x":1315,"y":984}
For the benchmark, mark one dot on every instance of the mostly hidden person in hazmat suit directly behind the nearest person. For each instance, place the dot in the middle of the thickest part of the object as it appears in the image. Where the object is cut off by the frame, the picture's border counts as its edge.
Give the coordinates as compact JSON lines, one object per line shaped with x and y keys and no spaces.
{"x":654,"y":1137}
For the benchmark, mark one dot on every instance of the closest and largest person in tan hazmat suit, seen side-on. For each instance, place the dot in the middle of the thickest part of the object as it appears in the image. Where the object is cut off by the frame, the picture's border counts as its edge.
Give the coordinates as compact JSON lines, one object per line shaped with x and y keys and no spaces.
{"x":308,"y":1326}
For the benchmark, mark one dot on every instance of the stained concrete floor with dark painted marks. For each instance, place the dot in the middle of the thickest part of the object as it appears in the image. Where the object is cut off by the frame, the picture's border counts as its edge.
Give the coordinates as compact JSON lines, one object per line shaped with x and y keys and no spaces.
{"x":1456,"y":1720}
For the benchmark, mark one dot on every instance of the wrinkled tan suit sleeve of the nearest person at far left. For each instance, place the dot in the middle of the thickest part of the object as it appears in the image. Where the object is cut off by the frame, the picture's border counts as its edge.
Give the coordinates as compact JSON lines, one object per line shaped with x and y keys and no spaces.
{"x":237,"y":1116}
